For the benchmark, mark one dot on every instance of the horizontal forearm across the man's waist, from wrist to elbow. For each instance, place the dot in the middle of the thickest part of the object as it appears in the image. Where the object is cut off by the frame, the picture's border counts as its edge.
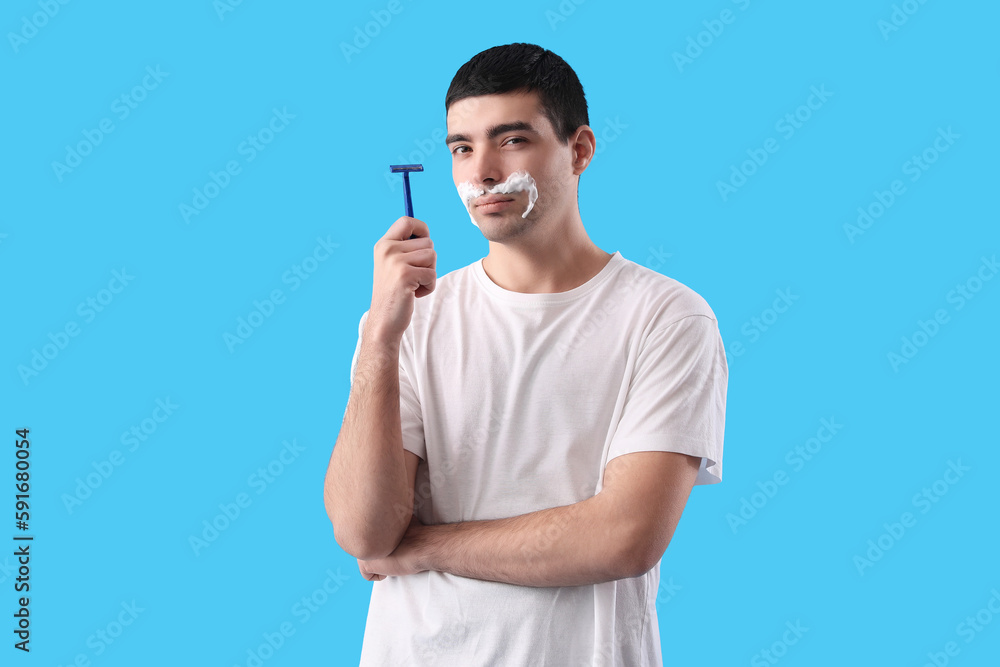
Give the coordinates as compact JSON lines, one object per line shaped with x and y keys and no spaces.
{"x":572,"y":545}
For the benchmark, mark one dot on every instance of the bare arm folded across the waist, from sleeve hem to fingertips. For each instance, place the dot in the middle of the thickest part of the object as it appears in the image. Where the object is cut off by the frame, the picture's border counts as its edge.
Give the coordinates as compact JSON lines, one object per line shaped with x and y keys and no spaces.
{"x":620,"y":532}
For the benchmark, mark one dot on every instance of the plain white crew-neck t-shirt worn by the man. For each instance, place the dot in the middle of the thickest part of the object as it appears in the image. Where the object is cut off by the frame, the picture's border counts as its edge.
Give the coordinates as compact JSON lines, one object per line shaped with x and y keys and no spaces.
{"x":515,"y":403}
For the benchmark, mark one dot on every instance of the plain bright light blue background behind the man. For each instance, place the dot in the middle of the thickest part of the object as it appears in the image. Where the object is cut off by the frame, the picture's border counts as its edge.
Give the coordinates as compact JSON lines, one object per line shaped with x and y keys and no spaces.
{"x":653,"y":186}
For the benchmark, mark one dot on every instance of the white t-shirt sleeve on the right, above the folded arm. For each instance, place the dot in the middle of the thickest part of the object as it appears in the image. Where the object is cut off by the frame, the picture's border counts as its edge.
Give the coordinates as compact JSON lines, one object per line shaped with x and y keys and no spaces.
{"x":676,"y":401}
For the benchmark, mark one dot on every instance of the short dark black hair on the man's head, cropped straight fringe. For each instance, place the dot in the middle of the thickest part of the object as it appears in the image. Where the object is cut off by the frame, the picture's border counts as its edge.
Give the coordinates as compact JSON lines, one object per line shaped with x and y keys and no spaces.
{"x":525,"y":68}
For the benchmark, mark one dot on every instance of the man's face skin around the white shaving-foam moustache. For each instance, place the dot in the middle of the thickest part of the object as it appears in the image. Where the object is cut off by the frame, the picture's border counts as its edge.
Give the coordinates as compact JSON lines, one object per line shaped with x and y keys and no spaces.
{"x":492,"y":136}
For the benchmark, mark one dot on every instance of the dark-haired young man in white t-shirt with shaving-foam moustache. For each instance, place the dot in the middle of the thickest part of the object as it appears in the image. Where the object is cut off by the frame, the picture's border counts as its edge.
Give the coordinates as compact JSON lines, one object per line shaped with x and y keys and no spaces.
{"x":523,"y":433}
